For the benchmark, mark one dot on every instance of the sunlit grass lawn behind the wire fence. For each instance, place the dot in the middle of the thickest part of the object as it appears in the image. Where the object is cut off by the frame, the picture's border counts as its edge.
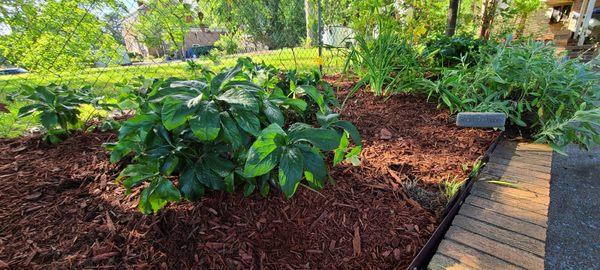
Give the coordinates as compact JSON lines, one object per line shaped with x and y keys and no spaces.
{"x":103,"y":80}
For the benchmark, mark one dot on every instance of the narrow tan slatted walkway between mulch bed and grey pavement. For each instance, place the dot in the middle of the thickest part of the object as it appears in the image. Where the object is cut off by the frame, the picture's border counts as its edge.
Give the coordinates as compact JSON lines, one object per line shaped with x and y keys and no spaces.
{"x":502,"y":225}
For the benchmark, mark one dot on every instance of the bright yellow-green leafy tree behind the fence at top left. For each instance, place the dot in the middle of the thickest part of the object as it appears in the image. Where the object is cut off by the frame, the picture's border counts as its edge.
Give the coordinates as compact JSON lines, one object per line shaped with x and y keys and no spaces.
{"x":57,"y":34}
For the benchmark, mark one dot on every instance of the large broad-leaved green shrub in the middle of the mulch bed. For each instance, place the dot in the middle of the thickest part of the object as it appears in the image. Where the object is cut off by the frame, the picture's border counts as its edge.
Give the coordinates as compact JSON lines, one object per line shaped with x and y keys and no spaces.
{"x":227,"y":130}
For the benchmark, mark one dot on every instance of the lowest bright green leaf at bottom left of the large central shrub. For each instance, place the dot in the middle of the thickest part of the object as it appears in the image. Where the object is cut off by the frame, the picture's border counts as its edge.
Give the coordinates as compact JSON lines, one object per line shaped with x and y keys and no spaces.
{"x":157,"y":195}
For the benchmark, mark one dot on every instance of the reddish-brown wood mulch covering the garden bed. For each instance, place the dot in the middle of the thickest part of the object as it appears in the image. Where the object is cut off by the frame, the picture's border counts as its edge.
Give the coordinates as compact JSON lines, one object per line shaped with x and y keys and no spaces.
{"x":60,"y":206}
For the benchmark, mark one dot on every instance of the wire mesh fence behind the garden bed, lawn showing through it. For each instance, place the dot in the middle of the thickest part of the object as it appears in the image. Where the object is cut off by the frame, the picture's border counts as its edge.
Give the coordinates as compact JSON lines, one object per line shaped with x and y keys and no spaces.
{"x":103,"y":43}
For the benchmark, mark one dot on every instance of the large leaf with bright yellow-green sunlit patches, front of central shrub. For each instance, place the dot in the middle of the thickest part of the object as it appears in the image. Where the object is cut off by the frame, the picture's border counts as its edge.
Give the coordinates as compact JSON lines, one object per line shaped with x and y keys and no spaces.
{"x":264,"y":153}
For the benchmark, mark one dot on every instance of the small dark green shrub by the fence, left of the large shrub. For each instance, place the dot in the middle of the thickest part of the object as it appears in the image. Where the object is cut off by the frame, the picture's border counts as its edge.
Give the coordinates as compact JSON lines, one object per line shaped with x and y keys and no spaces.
{"x":59,"y":108}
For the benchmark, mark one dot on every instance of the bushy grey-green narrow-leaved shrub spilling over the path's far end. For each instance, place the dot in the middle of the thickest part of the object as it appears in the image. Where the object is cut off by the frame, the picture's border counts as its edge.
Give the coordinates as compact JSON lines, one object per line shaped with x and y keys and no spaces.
{"x":550,"y":97}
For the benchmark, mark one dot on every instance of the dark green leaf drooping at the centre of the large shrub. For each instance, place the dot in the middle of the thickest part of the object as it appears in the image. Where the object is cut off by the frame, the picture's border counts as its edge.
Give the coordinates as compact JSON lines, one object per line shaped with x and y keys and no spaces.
{"x":206,"y":123}
